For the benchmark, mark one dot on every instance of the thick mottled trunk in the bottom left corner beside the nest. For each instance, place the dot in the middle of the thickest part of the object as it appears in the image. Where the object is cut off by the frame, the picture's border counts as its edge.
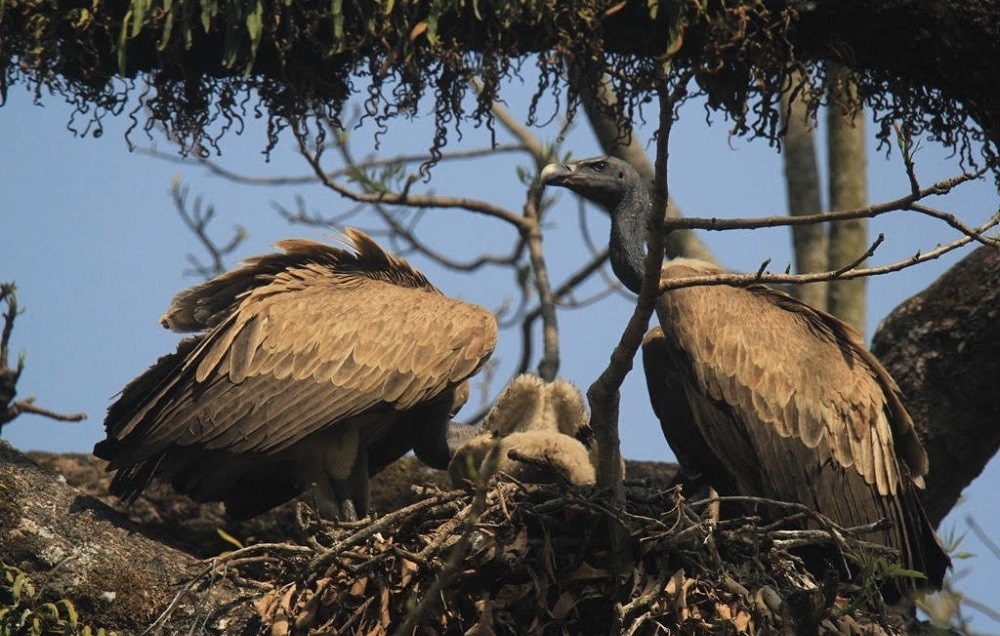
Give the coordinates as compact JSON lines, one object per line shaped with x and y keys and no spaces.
{"x":76,"y":548}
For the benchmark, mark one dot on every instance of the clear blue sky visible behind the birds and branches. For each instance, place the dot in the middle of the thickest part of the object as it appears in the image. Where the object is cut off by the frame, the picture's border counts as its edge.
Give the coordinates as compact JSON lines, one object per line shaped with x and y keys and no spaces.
{"x":92,"y":240}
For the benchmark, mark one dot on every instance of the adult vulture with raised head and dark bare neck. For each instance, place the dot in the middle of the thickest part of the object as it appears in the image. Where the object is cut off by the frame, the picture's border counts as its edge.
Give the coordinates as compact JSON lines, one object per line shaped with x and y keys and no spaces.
{"x":759,"y":394}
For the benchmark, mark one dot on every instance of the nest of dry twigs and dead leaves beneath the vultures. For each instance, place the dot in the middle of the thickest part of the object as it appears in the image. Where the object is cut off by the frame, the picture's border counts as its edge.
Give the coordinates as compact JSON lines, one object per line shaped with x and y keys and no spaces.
{"x":536,"y":559}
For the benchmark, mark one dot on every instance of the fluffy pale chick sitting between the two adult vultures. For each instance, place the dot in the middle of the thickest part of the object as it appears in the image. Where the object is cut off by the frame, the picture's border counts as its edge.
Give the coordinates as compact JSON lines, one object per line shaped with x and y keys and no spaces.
{"x":535,"y":432}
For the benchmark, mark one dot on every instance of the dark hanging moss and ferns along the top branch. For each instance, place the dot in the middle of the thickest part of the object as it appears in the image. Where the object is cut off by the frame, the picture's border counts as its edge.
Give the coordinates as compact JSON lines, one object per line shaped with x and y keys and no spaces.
{"x":201,"y":67}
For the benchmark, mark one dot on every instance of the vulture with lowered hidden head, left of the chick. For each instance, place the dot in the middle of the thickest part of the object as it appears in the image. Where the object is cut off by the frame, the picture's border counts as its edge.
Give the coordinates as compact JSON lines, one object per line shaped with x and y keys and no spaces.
{"x":314,"y":369}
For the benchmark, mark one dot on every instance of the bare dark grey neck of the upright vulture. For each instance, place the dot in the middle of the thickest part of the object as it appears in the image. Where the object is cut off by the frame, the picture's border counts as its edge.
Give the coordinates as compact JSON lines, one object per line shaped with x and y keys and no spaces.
{"x":628,"y":235}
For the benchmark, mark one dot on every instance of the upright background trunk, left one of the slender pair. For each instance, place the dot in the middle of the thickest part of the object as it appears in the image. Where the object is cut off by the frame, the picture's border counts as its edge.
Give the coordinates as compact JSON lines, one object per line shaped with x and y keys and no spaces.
{"x":802,"y":185}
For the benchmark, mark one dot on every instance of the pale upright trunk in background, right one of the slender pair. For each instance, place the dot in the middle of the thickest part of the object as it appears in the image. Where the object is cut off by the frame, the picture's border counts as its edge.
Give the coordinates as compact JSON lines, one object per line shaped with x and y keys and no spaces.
{"x":848,"y":190}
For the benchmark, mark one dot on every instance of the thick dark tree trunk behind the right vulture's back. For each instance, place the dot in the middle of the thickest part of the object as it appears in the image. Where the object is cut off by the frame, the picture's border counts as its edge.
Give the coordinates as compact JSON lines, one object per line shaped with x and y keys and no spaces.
{"x":942,"y":348}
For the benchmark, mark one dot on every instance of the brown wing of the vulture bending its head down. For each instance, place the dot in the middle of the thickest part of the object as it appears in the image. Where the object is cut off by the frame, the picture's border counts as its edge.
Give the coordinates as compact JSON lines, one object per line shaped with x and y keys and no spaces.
{"x":317,"y":335}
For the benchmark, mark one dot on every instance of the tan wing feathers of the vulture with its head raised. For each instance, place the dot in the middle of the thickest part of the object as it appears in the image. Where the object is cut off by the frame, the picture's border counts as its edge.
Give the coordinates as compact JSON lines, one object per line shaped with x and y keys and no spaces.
{"x":806,"y":376}
